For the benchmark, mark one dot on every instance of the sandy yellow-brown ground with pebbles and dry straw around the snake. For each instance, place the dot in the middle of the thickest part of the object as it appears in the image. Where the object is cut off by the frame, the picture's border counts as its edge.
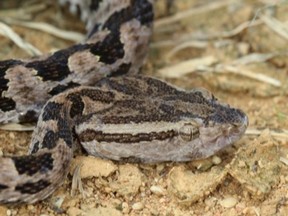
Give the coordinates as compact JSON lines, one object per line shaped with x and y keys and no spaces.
{"x":235,"y":49}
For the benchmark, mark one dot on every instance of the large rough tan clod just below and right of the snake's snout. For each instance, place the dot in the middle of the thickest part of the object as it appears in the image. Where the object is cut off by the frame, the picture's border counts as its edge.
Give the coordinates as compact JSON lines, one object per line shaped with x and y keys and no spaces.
{"x":259,"y":181}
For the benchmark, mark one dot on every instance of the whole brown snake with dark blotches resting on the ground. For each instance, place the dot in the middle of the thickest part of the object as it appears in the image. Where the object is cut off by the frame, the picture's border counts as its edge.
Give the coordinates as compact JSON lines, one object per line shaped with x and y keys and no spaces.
{"x":91,"y":93}
